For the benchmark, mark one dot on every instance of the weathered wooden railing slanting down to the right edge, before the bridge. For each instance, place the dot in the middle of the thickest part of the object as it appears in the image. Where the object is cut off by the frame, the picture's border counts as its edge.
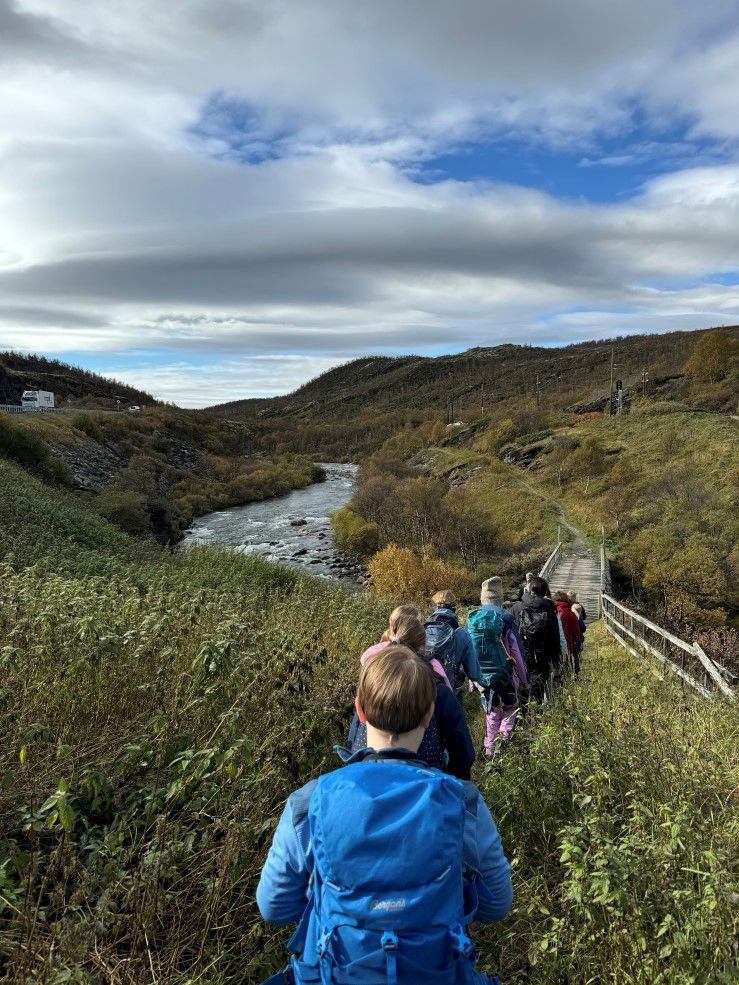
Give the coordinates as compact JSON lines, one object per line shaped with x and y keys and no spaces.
{"x":644,"y":639}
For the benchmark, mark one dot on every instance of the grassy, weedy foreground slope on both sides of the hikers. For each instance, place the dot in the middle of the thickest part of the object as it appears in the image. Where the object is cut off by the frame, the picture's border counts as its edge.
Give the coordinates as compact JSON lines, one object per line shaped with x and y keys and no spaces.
{"x":181,"y":697}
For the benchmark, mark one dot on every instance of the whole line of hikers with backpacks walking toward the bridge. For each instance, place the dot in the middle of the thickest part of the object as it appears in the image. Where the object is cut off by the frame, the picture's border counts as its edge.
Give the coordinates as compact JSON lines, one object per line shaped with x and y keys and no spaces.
{"x":384,"y":862}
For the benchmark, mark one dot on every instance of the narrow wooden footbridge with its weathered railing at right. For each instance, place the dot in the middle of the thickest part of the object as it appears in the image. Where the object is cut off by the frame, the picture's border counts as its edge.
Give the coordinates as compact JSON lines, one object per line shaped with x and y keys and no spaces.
{"x":578,"y":570}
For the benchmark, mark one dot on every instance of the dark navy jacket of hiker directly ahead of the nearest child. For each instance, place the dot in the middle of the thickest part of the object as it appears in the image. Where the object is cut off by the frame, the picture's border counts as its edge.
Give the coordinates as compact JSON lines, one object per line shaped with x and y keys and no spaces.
{"x":446,"y":745}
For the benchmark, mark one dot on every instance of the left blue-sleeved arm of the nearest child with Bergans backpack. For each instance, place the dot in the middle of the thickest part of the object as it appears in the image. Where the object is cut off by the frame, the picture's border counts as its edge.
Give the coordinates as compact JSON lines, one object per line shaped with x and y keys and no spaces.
{"x":283,"y":884}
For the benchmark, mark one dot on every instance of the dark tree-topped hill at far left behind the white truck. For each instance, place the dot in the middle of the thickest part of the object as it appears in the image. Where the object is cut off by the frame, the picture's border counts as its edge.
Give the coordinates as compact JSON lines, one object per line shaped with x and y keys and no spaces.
{"x":72,"y":386}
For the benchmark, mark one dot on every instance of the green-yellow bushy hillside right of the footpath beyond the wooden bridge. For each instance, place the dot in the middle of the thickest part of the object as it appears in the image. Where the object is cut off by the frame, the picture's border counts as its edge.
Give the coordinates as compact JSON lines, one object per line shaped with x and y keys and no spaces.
{"x":662,"y":483}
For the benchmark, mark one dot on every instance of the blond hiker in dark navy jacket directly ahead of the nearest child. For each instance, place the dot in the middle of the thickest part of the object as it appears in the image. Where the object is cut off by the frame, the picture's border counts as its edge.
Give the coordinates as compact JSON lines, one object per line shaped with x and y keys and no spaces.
{"x":447,"y":743}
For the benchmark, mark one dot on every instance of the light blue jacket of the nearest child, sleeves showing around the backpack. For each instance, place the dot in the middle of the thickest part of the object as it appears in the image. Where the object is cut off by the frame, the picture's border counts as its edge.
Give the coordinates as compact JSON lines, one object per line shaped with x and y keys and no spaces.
{"x":283,"y":886}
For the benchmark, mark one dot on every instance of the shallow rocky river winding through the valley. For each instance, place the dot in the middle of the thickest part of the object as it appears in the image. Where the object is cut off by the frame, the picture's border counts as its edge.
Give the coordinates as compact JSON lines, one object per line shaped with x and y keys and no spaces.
{"x":294,"y":530}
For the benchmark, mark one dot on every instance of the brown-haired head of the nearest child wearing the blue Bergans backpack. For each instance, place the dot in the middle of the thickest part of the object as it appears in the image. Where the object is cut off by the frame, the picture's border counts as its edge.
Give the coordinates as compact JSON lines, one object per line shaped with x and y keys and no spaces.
{"x":395,"y":698}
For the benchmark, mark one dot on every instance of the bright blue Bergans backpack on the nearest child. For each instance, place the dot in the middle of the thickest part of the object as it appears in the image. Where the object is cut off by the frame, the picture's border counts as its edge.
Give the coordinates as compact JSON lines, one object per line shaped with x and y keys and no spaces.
{"x":390,"y":899}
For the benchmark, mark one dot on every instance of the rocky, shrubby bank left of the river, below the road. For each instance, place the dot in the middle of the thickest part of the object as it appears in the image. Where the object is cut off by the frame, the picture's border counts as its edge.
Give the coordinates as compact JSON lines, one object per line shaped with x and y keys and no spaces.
{"x":152,"y":472}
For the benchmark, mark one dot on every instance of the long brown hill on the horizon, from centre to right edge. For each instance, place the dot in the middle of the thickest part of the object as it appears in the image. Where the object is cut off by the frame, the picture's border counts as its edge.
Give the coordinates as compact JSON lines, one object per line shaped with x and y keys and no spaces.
{"x":350,"y":411}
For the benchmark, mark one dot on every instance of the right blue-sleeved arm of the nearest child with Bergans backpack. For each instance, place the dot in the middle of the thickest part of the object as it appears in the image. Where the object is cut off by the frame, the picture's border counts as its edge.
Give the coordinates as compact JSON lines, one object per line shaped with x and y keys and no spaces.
{"x":483,"y":850}
